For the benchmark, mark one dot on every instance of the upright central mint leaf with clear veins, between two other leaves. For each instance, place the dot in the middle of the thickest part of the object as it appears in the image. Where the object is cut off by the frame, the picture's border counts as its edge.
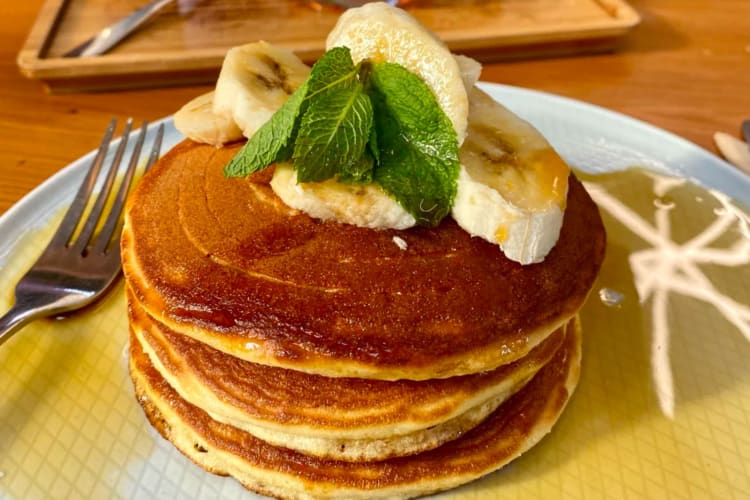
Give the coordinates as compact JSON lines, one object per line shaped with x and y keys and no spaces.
{"x":336,"y":125}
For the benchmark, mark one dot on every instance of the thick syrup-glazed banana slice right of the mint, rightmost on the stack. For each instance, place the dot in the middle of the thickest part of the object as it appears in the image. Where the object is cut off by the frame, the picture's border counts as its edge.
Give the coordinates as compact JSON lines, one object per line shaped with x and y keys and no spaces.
{"x":512,"y":185}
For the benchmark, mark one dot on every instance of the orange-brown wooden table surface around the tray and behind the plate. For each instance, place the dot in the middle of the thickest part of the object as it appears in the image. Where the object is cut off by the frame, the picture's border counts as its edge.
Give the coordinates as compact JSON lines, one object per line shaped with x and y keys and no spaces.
{"x":686,"y":69}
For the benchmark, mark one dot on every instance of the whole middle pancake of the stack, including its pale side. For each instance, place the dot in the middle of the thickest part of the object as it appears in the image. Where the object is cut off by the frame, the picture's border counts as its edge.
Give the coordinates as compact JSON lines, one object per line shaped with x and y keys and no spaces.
{"x":342,"y":418}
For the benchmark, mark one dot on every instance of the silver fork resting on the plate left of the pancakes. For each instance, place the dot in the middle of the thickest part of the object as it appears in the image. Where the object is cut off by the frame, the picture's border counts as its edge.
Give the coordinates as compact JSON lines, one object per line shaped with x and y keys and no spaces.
{"x":77,"y":267}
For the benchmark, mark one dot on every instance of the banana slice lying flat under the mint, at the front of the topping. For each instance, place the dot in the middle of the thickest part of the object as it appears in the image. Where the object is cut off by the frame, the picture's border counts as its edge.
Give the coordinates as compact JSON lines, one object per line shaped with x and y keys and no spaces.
{"x":361,"y":205}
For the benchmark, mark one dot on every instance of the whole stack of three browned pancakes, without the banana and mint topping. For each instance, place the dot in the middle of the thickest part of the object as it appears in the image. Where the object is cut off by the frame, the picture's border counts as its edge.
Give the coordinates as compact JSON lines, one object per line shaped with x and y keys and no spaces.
{"x":317,"y":359}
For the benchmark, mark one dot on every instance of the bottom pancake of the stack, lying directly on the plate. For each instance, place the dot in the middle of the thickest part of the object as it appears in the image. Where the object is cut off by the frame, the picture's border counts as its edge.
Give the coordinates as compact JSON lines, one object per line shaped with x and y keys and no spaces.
{"x":514,"y":427}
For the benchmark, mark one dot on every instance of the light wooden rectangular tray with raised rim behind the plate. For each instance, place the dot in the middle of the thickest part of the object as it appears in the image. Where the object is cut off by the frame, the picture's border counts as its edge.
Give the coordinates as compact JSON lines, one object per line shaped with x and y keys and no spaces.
{"x":186,"y":43}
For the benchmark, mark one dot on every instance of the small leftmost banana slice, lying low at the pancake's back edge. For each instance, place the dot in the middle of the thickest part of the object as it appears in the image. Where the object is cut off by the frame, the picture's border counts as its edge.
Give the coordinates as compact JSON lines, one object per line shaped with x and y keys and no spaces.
{"x":197,"y":121}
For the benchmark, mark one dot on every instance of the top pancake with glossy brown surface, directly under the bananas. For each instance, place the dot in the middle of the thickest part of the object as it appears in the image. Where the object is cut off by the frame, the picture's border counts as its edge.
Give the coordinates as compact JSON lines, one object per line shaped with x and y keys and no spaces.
{"x":226,"y":262}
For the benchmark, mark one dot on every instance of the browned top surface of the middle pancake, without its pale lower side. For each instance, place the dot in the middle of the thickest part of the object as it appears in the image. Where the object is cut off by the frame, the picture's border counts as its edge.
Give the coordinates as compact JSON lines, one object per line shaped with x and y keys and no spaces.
{"x":339,"y":406}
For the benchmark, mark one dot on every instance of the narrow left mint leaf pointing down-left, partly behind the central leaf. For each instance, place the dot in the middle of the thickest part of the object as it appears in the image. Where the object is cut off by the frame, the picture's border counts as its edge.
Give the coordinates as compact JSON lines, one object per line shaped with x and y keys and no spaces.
{"x":272,"y":142}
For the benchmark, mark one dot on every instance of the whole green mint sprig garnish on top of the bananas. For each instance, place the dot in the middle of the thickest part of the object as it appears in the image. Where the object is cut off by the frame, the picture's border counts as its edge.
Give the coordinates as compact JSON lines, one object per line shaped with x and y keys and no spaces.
{"x":363,"y":123}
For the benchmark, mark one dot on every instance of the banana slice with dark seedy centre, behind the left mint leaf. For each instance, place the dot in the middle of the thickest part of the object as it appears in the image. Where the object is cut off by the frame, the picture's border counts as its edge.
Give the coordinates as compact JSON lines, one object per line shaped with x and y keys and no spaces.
{"x":255,"y":80}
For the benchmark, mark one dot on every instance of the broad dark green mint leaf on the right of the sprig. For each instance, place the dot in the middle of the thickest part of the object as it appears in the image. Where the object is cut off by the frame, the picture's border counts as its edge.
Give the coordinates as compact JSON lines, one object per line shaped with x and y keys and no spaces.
{"x":418,"y":163}
